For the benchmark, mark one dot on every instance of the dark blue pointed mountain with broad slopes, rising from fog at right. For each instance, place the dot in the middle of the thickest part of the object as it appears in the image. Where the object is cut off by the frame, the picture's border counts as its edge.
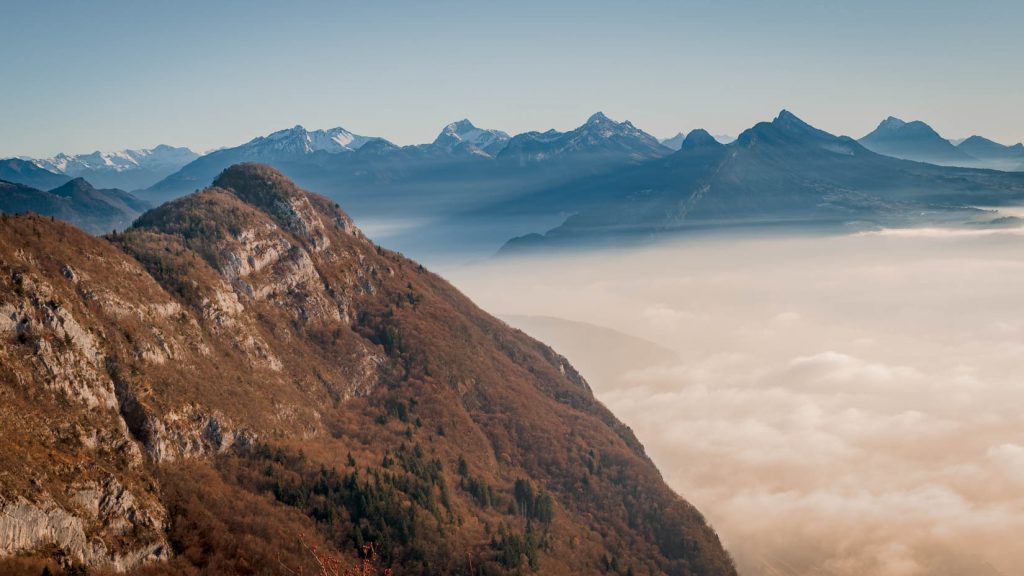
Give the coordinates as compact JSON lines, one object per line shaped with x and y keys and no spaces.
{"x":784,"y":173}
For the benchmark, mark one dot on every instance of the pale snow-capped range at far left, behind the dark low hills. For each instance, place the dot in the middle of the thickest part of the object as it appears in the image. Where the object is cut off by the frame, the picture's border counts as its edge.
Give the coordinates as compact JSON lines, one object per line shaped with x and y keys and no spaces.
{"x":126,"y":170}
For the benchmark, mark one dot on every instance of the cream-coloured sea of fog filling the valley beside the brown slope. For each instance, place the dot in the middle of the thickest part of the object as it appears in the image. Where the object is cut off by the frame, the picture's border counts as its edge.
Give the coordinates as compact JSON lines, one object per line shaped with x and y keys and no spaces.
{"x":838,"y":406}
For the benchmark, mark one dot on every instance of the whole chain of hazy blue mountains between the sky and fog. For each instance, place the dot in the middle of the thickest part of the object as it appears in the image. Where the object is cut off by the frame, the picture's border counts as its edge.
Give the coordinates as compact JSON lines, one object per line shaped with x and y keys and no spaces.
{"x":472,"y":190}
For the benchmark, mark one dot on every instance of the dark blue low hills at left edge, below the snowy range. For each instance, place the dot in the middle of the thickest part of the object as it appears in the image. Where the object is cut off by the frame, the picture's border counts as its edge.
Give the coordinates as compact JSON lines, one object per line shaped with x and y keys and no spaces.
{"x":97,"y":212}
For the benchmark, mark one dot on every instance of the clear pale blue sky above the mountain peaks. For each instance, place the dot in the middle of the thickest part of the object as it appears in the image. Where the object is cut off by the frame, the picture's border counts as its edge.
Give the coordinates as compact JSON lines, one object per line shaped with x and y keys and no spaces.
{"x":113,"y":74}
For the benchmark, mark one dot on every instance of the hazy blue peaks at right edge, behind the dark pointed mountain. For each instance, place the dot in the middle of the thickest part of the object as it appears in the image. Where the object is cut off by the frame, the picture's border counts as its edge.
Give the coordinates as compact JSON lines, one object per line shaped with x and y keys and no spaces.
{"x":919,"y":142}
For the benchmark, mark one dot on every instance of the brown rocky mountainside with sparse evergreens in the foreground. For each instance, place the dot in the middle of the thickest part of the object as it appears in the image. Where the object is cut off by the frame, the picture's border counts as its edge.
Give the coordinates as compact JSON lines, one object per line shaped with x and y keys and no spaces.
{"x":243,"y":366}
